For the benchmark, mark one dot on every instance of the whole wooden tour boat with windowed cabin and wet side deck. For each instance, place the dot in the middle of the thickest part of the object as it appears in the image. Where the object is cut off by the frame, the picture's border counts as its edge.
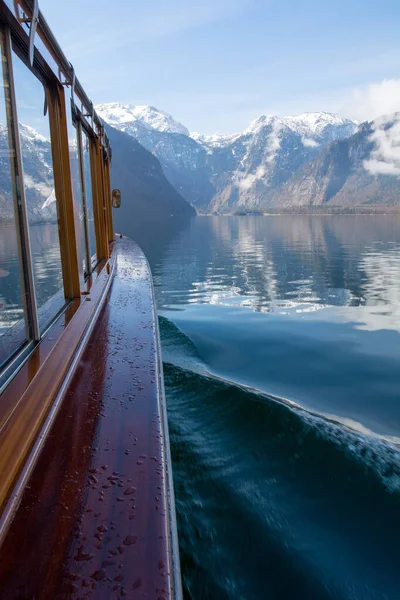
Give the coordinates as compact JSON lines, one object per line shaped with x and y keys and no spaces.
{"x":86,"y":489}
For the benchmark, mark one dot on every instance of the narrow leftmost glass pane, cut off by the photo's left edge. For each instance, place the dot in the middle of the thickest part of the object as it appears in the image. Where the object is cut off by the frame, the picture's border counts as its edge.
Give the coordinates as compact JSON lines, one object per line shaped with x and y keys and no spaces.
{"x":12,"y":324}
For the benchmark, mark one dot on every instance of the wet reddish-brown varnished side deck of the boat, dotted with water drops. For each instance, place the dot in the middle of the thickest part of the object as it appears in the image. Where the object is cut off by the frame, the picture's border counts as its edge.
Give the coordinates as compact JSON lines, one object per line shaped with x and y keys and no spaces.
{"x":93,"y":522}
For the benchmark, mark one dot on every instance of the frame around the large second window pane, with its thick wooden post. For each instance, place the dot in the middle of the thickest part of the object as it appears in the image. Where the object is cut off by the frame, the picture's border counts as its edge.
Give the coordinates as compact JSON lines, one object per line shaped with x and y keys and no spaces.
{"x":54,"y":95}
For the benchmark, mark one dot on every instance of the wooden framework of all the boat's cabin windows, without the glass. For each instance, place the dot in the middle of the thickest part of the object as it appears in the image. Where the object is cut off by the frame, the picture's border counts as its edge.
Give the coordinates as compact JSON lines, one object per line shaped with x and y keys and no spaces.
{"x":58,"y":79}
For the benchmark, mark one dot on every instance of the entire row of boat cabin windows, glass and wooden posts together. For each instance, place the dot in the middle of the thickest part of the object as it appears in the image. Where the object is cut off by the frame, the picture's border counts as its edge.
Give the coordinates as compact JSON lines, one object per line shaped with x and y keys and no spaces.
{"x":40,"y":266}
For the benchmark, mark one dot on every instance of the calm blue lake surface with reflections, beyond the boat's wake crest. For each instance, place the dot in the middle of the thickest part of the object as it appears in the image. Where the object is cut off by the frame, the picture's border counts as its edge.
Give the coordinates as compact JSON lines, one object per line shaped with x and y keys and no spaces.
{"x":305,"y":308}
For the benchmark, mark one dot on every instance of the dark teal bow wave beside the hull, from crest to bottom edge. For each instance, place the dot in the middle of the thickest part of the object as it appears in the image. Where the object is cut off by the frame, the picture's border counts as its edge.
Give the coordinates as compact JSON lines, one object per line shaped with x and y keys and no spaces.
{"x":274,"y":500}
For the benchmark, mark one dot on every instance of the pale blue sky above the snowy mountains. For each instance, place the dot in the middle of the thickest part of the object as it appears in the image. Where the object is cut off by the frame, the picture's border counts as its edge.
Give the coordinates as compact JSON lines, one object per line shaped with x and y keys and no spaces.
{"x":215,"y":65}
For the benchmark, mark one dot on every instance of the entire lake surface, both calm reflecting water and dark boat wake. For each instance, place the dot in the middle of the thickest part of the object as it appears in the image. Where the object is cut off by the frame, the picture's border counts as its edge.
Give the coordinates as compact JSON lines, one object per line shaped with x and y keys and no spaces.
{"x":281,"y":347}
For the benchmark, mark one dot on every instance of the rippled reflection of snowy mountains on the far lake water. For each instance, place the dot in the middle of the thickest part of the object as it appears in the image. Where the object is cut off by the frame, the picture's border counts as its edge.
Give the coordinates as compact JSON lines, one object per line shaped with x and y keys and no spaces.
{"x":292,"y":262}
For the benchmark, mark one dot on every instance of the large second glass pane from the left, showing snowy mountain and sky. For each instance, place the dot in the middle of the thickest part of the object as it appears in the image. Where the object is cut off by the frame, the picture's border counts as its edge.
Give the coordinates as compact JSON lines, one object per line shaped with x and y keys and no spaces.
{"x":40,"y":197}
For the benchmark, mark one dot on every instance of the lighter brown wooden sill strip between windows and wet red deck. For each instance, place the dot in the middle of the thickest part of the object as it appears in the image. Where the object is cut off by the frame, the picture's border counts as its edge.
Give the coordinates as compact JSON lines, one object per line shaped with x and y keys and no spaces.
{"x":25,"y":386}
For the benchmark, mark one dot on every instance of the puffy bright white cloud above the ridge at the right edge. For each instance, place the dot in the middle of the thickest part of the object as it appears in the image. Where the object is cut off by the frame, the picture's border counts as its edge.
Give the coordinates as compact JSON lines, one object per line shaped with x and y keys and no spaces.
{"x":374,"y":100}
